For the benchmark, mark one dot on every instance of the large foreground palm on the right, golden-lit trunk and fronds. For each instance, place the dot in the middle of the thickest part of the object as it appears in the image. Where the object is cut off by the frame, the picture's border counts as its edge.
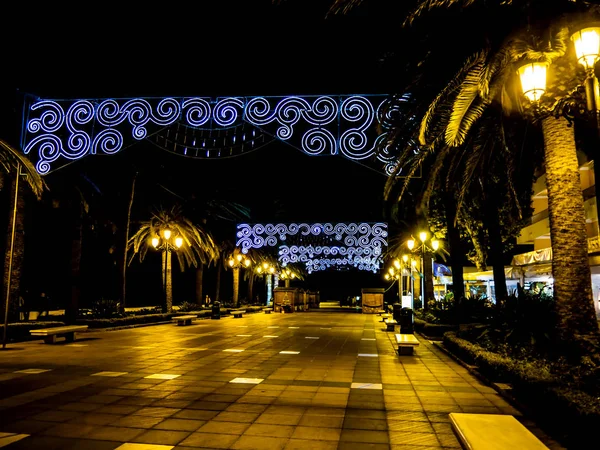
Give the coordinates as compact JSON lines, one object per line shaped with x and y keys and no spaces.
{"x":488,"y":79}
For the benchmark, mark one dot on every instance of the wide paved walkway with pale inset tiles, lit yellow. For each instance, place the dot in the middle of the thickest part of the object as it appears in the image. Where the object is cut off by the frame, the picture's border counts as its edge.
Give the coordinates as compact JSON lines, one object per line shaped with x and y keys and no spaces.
{"x":264,"y":381}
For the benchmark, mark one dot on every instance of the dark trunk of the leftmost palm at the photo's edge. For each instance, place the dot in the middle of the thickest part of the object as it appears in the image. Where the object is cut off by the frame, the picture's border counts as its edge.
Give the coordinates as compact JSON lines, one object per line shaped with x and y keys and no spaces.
{"x":18,"y":254}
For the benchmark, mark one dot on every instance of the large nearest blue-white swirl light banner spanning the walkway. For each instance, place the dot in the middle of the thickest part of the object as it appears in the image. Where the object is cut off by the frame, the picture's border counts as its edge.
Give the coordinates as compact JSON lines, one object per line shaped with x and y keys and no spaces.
{"x":321,"y":125}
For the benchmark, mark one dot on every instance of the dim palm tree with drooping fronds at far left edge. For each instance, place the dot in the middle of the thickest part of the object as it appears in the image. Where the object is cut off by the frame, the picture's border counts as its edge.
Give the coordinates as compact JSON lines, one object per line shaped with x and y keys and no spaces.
{"x":14,"y":167}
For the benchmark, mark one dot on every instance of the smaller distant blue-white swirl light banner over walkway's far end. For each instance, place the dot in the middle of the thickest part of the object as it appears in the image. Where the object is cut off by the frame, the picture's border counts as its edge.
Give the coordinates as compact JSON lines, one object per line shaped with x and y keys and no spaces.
{"x":319,"y":246}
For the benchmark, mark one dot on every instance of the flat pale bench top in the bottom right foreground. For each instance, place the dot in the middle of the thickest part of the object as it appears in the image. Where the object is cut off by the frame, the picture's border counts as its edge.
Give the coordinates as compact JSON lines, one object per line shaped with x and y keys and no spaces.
{"x":493,"y":432}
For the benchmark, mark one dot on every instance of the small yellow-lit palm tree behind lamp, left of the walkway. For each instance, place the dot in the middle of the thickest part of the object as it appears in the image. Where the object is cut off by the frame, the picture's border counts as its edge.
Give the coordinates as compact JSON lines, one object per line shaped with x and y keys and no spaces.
{"x":198,"y":246}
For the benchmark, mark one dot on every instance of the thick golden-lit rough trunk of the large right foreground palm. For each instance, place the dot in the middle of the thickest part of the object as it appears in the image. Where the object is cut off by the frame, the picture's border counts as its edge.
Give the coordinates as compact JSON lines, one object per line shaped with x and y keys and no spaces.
{"x":577,"y":324}
